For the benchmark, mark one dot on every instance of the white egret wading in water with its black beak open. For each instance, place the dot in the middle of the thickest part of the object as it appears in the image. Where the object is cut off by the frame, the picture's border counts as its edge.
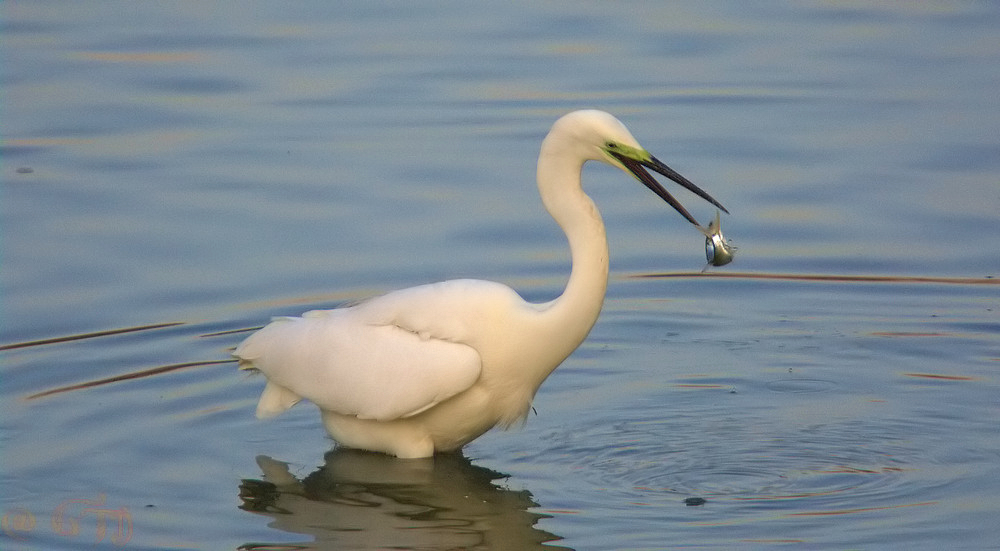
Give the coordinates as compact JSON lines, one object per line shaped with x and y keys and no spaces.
{"x":430,"y":368}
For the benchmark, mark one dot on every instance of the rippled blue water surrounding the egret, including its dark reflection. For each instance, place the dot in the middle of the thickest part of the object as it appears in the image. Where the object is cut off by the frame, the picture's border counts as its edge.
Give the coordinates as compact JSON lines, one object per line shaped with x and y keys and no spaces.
{"x":176,"y":173}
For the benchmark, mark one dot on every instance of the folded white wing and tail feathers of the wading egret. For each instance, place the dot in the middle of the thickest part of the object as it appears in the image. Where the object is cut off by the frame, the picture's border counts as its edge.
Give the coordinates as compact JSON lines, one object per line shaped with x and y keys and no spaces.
{"x":344,"y":363}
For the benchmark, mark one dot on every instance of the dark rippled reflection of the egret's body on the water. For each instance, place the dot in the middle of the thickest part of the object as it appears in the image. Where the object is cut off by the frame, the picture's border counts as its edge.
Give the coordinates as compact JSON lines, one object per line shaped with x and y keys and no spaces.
{"x":366,"y":500}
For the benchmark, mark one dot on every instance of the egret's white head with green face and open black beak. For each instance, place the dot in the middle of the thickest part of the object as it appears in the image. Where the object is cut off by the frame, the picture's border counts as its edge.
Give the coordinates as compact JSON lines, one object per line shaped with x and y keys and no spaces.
{"x":607,"y":140}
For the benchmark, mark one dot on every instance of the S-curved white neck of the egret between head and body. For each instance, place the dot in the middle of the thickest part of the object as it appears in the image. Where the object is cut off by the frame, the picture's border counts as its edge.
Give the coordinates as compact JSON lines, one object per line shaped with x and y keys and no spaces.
{"x":574,"y":313}
